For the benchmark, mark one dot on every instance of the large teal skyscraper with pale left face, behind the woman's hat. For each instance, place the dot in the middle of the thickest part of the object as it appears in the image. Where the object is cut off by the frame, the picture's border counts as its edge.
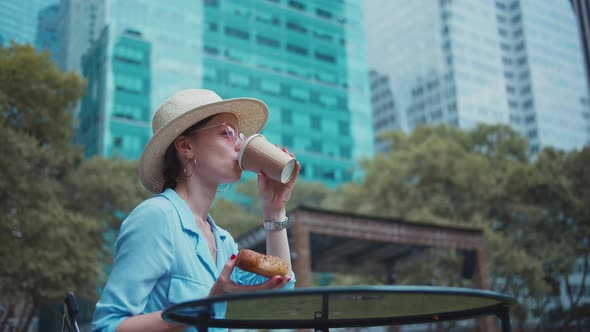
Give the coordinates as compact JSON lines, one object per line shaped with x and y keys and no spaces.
{"x":305,"y":59}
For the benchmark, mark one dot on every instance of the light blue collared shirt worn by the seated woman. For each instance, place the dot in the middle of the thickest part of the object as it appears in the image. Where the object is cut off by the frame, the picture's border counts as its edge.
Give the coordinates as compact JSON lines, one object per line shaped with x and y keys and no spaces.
{"x":161,"y":258}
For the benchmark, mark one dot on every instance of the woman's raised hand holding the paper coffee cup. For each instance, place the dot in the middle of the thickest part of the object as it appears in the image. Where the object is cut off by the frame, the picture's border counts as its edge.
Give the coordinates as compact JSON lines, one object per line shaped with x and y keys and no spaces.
{"x":274,"y":195}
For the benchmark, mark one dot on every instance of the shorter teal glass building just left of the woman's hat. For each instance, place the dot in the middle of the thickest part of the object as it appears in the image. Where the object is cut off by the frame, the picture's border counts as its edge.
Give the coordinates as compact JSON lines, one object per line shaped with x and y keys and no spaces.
{"x":115,"y":120}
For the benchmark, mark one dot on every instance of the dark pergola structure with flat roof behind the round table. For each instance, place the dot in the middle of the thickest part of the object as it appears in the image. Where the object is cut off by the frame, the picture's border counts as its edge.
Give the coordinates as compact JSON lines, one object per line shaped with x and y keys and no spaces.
{"x":329,"y":241}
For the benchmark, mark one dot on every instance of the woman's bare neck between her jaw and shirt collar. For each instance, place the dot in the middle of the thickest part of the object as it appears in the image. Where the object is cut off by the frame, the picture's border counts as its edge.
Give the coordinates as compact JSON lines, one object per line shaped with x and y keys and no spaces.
{"x":198,"y":196}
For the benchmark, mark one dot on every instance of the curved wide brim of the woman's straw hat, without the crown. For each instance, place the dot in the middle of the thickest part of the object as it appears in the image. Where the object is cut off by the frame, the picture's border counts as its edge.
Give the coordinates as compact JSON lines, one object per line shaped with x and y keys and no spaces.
{"x":251,"y":115}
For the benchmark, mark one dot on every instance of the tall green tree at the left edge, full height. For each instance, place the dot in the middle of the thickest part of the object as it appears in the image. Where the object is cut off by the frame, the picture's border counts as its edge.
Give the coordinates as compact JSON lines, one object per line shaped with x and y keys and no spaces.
{"x":38,"y":235}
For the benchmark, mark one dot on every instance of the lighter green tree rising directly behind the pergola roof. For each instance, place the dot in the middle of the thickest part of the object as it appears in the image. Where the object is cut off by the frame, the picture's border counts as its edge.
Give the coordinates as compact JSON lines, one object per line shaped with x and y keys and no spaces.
{"x":445,"y":175}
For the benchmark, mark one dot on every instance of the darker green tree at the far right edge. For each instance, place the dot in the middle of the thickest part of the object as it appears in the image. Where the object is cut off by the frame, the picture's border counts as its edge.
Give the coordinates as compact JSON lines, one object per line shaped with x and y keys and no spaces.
{"x":557,"y":186}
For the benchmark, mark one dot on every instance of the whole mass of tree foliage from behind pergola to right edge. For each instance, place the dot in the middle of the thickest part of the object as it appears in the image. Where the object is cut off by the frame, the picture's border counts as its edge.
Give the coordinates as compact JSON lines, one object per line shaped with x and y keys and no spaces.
{"x":484,"y":178}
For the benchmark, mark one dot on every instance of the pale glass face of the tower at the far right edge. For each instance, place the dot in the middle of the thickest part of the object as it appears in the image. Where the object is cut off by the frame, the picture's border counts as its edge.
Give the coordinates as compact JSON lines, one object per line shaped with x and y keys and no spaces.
{"x":559,"y":89}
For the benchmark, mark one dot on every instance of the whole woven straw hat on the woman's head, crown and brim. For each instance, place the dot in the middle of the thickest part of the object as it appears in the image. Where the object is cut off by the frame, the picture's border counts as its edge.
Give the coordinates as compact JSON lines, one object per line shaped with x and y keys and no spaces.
{"x":184,"y":109}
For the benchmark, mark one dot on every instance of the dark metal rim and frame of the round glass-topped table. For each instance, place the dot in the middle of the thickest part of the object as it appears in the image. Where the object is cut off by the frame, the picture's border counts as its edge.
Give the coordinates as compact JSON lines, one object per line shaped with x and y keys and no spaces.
{"x":200,"y":313}
